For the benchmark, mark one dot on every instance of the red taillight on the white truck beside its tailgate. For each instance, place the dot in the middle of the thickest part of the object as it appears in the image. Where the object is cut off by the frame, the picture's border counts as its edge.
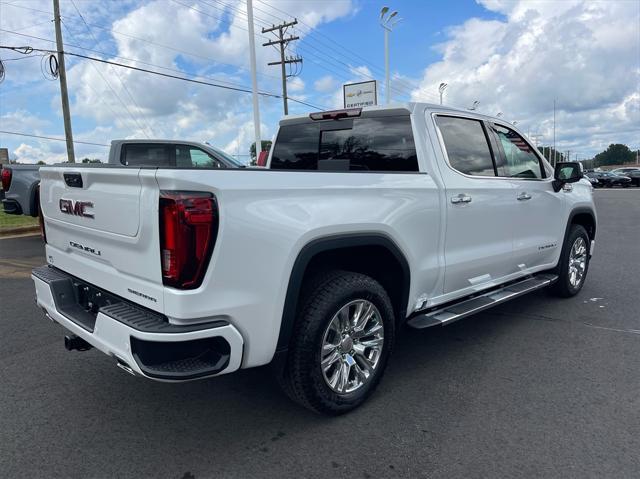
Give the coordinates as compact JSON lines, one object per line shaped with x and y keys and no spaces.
{"x":188,"y":229}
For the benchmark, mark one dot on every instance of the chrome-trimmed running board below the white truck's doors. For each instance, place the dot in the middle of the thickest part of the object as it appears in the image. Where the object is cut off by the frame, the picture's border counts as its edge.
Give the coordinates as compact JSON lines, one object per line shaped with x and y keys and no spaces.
{"x":468,"y":306}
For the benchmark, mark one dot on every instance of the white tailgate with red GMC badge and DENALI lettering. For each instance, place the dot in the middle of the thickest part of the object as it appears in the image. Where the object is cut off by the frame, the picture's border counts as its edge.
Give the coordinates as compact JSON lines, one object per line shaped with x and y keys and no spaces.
{"x":96,"y":229}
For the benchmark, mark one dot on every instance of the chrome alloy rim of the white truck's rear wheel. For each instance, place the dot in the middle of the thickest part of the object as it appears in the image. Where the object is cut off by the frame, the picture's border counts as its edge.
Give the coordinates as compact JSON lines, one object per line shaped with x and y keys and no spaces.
{"x":352,"y":346}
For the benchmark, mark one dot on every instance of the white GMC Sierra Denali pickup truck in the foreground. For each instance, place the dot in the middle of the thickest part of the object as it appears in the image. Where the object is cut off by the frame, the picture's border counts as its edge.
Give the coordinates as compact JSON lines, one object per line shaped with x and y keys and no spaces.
{"x":364,"y":221}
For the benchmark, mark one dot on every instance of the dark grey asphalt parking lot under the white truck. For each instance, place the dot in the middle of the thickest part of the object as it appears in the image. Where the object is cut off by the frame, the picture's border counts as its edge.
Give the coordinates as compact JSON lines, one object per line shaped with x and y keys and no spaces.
{"x":540,"y":387}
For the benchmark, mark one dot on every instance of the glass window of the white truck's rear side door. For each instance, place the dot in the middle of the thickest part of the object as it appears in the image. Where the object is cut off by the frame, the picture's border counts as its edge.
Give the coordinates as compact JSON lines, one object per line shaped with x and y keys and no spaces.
{"x":467,"y":145}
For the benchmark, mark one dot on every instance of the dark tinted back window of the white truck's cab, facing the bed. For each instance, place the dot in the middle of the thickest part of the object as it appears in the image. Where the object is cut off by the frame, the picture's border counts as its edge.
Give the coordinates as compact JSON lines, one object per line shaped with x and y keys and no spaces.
{"x":360,"y":144}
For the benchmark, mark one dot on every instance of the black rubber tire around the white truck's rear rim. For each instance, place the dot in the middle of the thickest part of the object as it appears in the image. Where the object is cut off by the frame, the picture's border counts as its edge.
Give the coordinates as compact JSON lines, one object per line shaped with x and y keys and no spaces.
{"x":302,"y":378}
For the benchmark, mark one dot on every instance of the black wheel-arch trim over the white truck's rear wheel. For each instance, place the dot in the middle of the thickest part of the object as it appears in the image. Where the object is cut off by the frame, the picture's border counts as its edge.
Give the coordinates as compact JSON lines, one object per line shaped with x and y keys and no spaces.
{"x":327,"y":243}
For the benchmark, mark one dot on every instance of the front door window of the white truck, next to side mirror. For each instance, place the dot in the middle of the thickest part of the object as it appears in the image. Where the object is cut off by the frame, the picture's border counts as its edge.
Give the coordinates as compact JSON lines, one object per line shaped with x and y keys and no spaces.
{"x":519,"y":160}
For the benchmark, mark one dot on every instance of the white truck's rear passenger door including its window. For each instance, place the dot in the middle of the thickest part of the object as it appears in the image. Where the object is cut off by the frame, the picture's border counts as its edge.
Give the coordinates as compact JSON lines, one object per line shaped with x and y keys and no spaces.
{"x":478,"y":240}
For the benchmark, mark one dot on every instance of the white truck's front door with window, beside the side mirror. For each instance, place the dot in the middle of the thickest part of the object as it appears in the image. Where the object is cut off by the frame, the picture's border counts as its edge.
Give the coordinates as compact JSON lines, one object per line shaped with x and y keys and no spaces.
{"x":537,"y":211}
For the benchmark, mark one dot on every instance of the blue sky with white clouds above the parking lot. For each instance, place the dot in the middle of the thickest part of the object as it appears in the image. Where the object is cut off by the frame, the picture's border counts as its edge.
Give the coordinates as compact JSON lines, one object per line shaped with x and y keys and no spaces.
{"x":513,"y":56}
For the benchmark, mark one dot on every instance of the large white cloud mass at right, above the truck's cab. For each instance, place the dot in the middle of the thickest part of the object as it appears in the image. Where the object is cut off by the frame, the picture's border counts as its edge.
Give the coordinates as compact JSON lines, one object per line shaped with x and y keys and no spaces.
{"x":584,"y":54}
